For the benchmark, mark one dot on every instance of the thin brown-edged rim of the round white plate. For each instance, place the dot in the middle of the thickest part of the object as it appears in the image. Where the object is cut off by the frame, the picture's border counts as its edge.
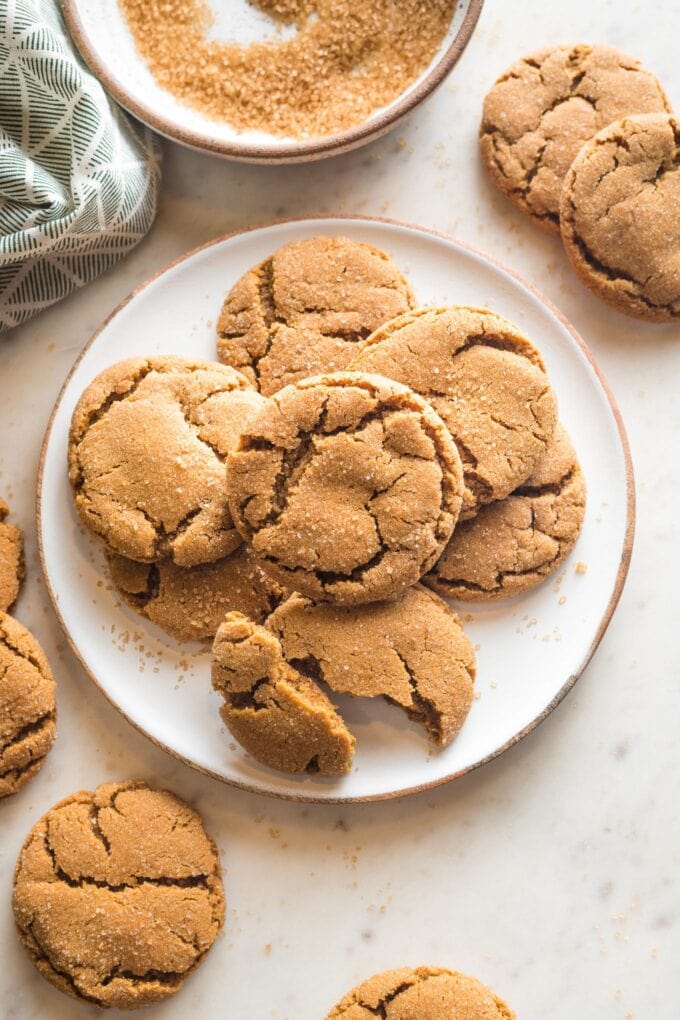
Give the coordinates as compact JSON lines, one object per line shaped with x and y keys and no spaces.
{"x":622,"y":573}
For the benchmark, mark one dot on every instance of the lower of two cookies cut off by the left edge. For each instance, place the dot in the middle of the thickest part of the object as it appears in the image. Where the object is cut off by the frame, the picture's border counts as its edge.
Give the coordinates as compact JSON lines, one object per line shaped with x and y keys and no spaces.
{"x":28,"y":708}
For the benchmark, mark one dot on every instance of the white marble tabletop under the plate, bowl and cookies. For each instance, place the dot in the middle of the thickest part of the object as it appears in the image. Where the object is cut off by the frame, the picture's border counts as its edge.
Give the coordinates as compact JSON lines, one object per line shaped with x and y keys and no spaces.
{"x":552,"y":874}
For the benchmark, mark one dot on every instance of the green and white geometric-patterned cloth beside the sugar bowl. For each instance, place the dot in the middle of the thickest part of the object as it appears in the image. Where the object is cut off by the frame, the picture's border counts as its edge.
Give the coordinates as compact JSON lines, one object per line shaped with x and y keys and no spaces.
{"x":79,"y":181}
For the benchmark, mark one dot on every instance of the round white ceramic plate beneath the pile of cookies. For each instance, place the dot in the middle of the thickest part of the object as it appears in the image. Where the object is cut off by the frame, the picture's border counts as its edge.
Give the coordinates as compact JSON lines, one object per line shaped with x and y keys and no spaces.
{"x":531,"y":650}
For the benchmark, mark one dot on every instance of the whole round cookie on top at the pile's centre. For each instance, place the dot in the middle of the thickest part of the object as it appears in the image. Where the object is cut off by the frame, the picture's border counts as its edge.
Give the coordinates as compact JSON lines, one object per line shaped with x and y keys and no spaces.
{"x":347,"y":487}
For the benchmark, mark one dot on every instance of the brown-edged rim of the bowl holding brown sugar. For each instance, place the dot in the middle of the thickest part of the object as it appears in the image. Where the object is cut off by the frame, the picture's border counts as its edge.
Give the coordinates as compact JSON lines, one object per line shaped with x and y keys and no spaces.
{"x":317,"y":148}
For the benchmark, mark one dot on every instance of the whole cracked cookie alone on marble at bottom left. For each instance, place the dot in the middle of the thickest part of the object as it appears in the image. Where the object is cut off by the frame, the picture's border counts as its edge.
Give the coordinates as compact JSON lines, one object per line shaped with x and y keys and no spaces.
{"x":118,"y":895}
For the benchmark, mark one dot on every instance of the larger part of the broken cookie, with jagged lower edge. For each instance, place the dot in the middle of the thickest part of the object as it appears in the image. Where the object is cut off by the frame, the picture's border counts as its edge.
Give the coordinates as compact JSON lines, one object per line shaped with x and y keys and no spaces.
{"x":411,"y":650}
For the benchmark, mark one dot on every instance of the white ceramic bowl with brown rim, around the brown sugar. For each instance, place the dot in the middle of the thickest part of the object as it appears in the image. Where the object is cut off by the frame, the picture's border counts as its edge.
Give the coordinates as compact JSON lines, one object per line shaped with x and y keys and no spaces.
{"x":103,"y":38}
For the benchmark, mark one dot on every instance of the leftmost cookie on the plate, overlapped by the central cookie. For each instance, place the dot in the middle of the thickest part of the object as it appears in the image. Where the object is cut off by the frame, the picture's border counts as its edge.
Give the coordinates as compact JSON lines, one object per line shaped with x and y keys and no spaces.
{"x":147,"y":454}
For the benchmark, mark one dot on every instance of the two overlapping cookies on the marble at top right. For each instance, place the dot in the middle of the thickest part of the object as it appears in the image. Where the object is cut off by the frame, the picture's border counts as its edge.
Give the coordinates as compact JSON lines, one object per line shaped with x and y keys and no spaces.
{"x":584,"y":140}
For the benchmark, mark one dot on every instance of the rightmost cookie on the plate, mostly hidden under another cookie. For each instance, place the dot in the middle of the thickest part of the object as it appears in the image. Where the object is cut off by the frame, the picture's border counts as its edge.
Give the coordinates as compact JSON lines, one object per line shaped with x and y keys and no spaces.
{"x":513,"y":545}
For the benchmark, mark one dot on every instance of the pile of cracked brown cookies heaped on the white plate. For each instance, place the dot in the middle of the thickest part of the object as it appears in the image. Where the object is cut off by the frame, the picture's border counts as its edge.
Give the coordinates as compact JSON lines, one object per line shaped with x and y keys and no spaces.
{"x":307,"y":501}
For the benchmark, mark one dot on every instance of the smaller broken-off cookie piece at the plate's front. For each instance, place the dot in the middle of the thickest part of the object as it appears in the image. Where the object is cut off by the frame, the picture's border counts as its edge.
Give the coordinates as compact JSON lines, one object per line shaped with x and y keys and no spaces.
{"x":282,"y":719}
